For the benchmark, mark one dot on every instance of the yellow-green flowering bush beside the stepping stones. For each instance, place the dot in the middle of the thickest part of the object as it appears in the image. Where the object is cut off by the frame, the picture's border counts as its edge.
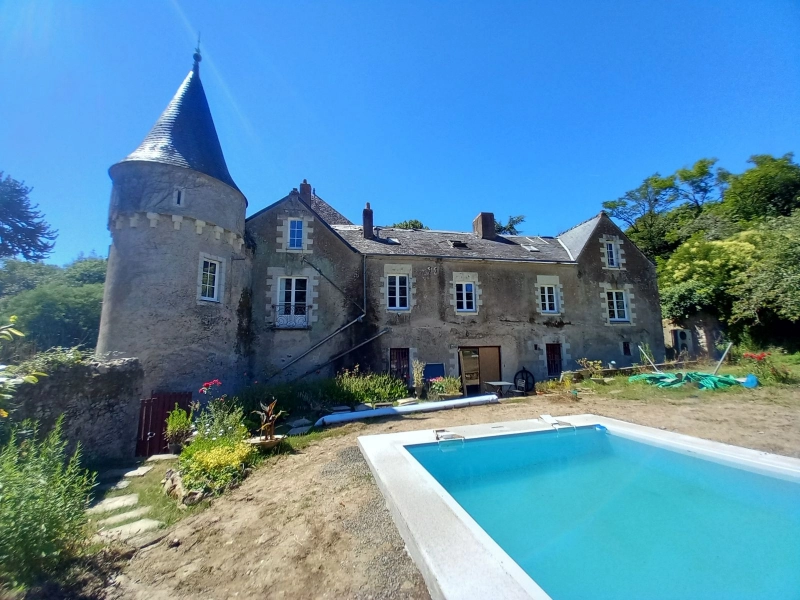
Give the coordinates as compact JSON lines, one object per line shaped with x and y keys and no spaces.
{"x":217,"y":457}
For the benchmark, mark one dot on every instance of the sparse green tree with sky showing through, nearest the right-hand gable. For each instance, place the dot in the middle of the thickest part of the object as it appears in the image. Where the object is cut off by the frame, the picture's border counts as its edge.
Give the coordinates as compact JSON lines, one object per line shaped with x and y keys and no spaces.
{"x":644,"y":210}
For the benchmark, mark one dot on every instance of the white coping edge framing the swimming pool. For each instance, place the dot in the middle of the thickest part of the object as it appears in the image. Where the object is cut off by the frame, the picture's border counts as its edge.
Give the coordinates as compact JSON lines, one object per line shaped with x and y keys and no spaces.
{"x":456,"y":557}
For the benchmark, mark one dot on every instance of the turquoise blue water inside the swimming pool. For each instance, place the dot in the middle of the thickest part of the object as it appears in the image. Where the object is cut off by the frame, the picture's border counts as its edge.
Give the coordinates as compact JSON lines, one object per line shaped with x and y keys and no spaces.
{"x":594,"y":515}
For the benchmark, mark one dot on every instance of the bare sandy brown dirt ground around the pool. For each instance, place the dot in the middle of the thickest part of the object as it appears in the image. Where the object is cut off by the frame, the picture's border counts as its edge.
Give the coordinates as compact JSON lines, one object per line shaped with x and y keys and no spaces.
{"x":313,"y":524}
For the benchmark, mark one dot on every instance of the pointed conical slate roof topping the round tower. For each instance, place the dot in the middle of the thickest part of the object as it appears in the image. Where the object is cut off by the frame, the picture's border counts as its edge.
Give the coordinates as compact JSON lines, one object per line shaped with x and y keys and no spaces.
{"x":184,"y":135}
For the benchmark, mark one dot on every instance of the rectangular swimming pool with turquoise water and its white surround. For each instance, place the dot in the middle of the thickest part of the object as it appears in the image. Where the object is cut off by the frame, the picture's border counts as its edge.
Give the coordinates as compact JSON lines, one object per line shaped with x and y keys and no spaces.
{"x":618,"y":511}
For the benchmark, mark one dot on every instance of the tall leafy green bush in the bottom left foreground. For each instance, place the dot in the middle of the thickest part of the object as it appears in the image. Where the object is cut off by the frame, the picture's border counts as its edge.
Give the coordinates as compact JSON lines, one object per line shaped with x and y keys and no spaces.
{"x":43,"y":496}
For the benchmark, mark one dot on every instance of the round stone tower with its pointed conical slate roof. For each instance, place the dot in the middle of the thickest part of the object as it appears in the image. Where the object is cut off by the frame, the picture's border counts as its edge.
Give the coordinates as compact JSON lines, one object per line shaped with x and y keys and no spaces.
{"x":177,"y":267}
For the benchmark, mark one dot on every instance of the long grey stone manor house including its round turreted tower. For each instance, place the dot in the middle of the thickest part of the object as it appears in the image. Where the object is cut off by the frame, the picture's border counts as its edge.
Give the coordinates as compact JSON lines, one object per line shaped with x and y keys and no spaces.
{"x":197,"y":291}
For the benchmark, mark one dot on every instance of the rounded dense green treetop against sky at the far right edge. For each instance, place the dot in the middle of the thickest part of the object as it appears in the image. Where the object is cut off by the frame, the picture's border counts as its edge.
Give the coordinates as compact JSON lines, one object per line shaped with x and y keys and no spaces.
{"x":771,"y":188}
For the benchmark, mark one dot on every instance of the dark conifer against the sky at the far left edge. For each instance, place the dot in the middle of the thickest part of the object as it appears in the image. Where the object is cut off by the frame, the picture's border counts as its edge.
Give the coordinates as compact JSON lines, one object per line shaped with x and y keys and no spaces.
{"x":23,"y":230}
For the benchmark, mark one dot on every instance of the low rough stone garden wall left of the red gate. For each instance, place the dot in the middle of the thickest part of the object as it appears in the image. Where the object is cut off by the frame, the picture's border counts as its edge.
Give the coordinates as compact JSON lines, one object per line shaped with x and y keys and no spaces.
{"x":99,"y":401}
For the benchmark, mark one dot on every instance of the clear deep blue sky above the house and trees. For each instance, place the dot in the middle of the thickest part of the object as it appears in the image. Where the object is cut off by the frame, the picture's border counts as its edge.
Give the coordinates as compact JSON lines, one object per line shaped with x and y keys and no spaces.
{"x":429,"y":110}
